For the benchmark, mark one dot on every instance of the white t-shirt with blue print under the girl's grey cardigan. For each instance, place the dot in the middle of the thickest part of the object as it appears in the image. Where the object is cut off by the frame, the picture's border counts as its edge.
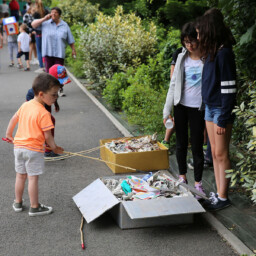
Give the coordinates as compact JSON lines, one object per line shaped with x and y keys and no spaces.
{"x":191,"y":94}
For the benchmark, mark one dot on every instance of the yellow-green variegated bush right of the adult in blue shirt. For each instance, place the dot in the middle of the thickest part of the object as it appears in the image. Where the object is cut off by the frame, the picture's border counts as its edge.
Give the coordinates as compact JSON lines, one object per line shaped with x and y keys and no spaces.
{"x":113,"y":44}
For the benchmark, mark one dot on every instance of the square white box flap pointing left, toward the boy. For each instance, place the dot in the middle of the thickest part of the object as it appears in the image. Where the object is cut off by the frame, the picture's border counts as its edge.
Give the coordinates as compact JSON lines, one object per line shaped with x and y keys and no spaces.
{"x":94,"y":200}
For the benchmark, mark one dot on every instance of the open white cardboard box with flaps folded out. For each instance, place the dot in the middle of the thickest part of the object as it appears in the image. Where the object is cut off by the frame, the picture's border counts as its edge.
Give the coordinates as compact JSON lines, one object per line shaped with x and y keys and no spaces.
{"x":96,"y":199}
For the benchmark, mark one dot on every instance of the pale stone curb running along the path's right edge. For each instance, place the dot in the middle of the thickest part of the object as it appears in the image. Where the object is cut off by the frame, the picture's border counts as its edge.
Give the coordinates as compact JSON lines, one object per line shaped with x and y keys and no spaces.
{"x":234,"y":242}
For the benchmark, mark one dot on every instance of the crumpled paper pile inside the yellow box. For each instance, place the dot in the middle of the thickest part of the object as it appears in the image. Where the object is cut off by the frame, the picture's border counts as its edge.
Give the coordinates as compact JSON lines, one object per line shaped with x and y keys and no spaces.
{"x":142,"y":144}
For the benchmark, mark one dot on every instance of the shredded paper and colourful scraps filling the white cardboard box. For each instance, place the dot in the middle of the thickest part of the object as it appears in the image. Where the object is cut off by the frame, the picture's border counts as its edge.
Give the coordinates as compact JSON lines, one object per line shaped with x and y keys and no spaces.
{"x":150,"y":186}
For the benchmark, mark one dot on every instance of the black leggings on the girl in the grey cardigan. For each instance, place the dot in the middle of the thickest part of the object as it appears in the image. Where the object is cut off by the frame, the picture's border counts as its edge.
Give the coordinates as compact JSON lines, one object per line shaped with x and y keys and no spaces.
{"x":193,"y":118}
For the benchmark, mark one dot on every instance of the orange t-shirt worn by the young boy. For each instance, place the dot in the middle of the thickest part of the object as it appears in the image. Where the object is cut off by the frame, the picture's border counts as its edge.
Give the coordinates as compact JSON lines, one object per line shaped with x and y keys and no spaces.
{"x":34,"y":120}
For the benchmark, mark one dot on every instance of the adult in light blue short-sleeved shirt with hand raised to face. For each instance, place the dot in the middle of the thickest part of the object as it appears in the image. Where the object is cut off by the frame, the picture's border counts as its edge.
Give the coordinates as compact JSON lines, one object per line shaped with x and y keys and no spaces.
{"x":55,"y":35}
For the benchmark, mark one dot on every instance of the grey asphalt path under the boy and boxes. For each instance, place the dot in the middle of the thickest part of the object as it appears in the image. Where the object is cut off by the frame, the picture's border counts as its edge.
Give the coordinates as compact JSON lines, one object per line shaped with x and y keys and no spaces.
{"x":80,"y":125}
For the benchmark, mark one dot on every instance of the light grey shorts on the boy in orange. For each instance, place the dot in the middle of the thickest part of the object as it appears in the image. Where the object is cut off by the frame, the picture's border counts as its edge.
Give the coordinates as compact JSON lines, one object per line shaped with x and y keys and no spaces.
{"x":28,"y":162}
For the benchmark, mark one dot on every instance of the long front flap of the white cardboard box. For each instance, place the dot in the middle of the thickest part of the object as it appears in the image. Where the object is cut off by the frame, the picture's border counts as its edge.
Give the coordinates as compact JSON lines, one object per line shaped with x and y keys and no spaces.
{"x":141,"y":209}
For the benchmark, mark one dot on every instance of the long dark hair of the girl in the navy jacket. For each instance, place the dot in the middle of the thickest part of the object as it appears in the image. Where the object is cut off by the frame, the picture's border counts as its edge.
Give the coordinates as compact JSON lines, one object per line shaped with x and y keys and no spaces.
{"x":213,"y":33}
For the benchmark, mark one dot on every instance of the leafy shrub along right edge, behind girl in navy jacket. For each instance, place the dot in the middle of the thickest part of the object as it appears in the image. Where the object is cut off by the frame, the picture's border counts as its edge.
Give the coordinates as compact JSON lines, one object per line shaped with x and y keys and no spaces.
{"x":240,"y":16}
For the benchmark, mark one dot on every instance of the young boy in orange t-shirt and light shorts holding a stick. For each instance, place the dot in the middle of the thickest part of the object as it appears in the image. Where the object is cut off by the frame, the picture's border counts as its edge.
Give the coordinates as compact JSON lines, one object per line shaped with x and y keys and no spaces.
{"x":34,"y":128}
